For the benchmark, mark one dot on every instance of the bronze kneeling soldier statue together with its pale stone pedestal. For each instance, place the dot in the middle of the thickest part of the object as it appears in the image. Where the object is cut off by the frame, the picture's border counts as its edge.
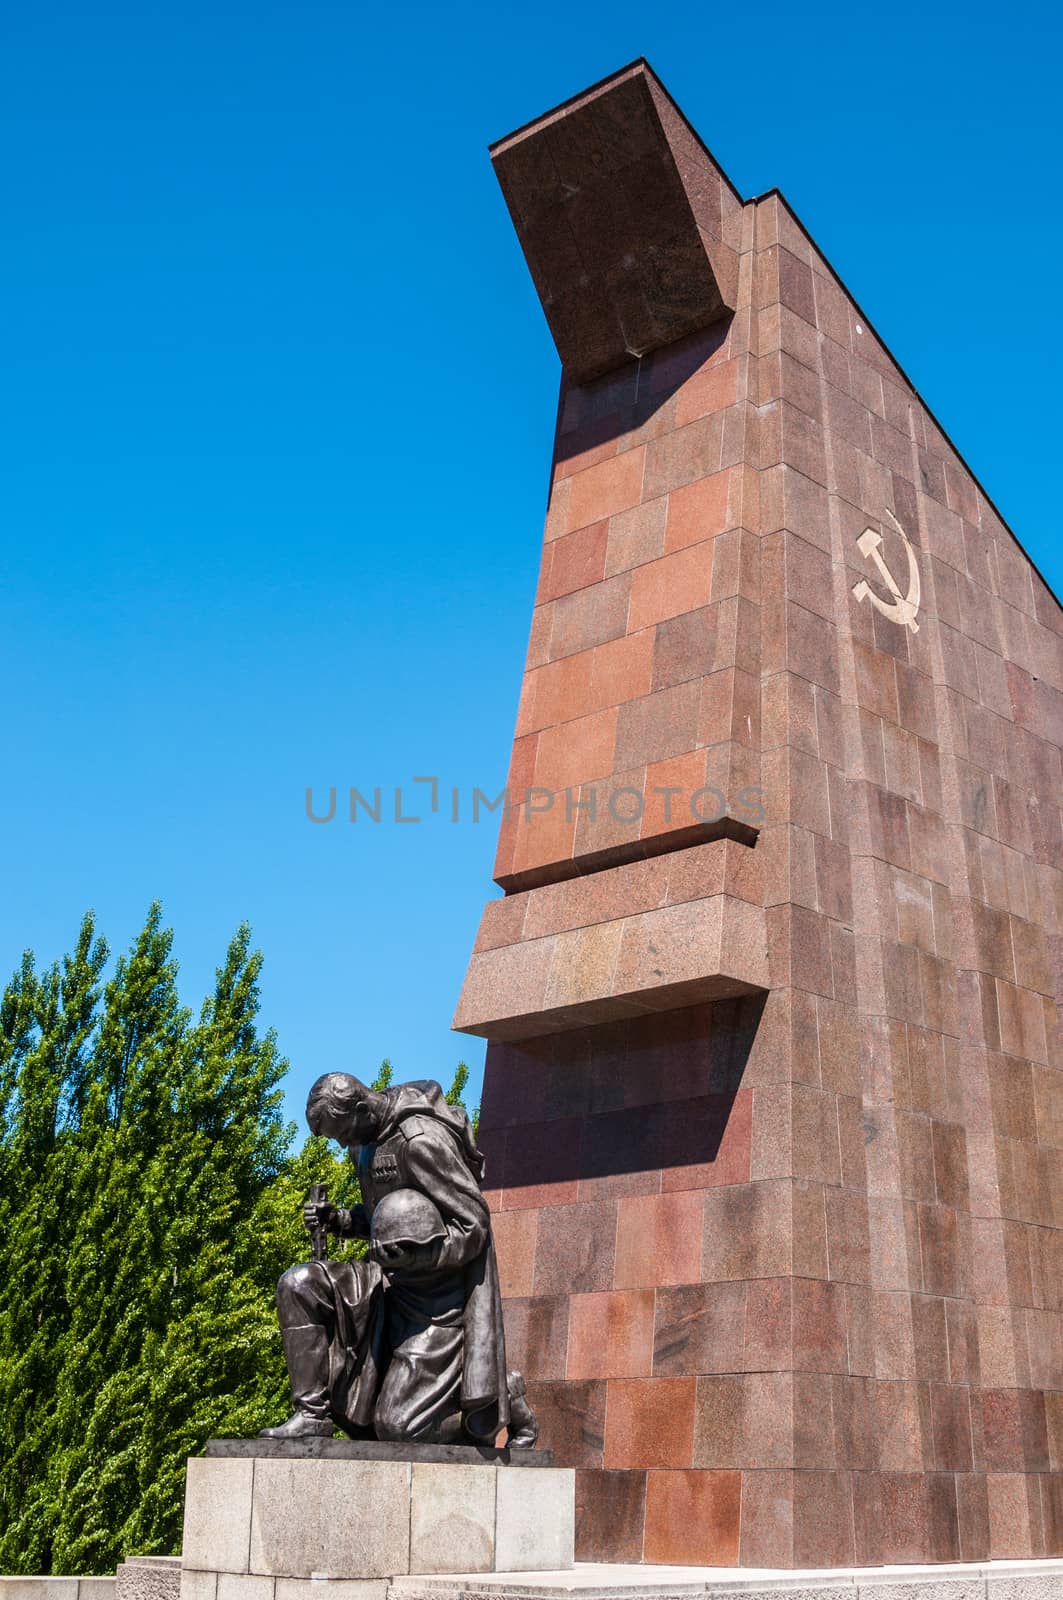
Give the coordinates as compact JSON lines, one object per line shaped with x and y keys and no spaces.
{"x":403,"y":1353}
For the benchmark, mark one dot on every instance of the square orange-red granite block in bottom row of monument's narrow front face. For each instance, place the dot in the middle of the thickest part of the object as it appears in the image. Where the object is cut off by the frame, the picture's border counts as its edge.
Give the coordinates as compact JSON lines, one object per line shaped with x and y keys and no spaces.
{"x":692,"y":1519}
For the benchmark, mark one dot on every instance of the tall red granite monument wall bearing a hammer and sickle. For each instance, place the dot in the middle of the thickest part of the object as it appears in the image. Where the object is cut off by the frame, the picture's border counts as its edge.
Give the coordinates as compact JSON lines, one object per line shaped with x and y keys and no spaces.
{"x":774,"y":1095}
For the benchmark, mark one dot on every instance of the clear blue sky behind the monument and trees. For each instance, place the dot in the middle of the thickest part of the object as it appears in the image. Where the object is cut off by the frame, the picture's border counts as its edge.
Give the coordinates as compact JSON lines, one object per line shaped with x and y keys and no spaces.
{"x":276,"y":417}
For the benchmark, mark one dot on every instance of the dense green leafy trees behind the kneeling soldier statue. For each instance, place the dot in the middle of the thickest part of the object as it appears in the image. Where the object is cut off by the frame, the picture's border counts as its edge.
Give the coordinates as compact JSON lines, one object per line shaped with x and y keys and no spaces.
{"x":150,"y":1201}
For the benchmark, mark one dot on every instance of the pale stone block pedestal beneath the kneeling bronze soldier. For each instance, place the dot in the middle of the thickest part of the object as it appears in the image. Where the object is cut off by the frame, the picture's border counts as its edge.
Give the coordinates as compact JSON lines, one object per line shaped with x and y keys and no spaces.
{"x":327,"y":1518}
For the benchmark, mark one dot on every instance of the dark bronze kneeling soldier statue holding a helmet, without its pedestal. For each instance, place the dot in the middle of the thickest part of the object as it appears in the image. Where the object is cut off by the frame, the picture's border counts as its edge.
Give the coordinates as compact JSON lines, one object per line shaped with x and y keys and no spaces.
{"x":407,"y":1345}
